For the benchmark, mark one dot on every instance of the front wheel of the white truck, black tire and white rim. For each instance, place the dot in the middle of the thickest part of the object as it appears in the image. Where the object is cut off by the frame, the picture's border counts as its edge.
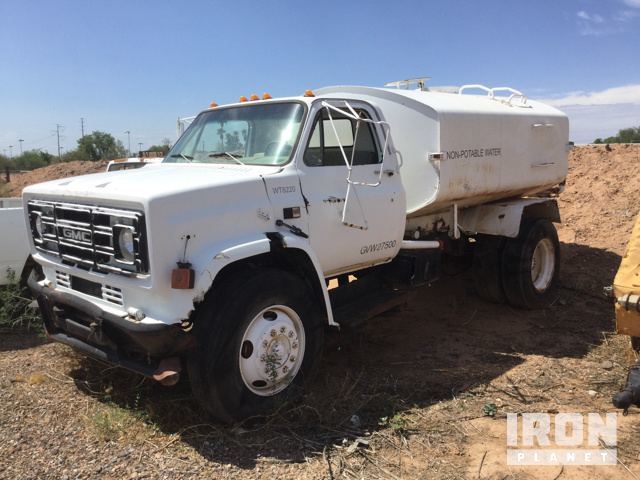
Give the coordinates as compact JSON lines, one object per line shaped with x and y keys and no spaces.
{"x":257,"y":343}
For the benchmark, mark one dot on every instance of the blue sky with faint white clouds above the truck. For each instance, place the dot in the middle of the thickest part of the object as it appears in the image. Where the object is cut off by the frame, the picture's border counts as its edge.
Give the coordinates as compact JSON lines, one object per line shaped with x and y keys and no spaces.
{"x":138,"y":65}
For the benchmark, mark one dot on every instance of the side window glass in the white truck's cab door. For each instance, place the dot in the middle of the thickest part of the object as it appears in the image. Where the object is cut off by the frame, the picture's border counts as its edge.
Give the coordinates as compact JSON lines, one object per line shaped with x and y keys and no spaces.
{"x":323,"y":149}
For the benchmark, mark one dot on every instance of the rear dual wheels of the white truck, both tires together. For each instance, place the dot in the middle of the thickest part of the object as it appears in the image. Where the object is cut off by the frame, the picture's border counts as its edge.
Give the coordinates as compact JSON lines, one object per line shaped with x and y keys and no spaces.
{"x":522,"y":271}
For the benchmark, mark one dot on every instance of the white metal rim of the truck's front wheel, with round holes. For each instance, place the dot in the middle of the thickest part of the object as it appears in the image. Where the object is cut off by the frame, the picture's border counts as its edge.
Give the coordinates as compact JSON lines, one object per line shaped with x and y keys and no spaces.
{"x":272,"y":350}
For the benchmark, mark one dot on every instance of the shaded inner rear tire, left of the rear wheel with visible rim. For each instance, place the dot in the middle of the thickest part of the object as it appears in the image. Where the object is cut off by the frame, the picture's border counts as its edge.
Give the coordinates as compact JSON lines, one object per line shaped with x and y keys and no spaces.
{"x":487,"y":275}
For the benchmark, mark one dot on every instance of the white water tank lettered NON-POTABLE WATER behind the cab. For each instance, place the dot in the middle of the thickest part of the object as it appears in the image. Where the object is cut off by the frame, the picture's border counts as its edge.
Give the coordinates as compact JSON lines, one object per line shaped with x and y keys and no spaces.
{"x":468,"y":149}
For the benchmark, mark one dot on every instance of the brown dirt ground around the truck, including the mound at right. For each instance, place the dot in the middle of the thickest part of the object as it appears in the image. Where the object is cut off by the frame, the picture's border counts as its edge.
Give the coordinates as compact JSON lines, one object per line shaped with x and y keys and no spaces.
{"x":404,"y":397}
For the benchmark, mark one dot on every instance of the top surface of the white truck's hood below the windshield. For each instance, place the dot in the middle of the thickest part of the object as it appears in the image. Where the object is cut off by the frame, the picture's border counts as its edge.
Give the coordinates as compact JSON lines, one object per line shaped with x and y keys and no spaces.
{"x":150,"y":182}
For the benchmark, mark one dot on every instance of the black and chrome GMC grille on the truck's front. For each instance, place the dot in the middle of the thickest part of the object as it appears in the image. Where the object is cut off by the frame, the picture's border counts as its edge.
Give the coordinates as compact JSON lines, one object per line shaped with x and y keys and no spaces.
{"x":86,"y":236}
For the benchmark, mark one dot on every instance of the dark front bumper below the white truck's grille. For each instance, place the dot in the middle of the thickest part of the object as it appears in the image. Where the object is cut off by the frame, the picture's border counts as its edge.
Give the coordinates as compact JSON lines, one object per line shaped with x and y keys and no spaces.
{"x":136,"y":346}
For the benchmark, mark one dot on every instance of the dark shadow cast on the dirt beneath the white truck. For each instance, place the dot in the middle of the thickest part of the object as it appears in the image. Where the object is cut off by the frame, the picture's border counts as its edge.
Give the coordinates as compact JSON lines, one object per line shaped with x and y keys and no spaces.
{"x":442,"y":343}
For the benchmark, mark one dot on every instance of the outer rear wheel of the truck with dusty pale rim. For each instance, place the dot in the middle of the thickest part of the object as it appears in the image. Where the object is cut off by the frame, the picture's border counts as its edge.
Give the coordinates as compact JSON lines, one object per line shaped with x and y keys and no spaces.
{"x":531,"y":265}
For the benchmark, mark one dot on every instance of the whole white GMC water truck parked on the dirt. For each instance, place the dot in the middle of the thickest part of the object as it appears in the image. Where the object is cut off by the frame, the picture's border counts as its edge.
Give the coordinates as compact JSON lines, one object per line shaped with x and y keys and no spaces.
{"x":218,"y":259}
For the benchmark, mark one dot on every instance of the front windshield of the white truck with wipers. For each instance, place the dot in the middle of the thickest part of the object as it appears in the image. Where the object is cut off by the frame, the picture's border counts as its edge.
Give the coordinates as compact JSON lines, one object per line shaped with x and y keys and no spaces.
{"x":263,"y":134}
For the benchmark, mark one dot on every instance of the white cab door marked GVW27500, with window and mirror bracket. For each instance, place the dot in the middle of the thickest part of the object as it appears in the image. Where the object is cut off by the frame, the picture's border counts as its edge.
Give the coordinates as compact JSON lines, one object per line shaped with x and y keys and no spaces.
{"x":356,"y":209}
